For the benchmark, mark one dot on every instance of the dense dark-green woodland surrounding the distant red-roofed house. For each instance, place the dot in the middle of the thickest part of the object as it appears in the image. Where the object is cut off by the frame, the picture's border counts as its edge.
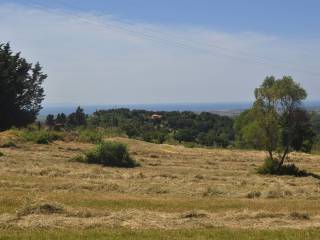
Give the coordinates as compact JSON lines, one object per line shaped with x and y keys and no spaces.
{"x":204,"y":128}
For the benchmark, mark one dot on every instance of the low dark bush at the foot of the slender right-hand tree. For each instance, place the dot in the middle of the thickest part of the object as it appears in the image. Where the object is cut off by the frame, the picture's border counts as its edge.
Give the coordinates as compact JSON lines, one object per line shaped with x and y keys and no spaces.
{"x":272,"y":167}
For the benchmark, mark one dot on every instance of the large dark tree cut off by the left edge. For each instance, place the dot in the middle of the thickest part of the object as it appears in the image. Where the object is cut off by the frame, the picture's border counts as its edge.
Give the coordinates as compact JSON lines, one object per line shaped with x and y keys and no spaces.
{"x":21,"y":91}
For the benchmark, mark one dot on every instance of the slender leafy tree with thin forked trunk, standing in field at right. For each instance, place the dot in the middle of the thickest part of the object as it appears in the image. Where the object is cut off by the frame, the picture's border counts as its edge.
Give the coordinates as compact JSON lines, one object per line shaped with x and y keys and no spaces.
{"x":279,"y":114}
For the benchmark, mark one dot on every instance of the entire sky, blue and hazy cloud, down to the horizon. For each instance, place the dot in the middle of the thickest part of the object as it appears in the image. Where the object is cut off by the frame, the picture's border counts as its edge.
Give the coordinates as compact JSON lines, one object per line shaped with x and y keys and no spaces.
{"x":168,"y":51}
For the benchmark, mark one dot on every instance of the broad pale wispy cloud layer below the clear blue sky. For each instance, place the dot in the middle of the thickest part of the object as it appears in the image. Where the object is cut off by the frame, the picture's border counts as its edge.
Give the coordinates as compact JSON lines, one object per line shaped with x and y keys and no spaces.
{"x":95,"y":59}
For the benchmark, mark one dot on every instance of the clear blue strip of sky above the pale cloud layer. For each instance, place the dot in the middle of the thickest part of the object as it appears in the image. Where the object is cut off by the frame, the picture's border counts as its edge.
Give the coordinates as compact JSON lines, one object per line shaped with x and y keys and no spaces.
{"x":298,"y":18}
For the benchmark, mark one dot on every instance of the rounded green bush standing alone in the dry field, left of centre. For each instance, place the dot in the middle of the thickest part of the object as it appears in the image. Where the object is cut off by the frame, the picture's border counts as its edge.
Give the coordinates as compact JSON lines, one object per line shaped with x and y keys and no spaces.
{"x":111,"y":154}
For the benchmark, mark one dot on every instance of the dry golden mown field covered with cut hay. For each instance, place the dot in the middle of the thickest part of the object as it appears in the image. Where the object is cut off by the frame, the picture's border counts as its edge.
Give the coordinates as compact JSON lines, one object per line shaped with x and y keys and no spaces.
{"x":177,"y":193}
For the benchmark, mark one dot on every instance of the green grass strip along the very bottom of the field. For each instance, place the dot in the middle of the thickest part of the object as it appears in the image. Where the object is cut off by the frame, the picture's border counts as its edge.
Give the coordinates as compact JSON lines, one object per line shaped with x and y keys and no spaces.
{"x":122,"y":233}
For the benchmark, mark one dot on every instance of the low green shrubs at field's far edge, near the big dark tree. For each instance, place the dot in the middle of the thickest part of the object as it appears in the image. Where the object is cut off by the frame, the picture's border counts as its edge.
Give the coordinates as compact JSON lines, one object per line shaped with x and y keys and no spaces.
{"x":42,"y":136}
